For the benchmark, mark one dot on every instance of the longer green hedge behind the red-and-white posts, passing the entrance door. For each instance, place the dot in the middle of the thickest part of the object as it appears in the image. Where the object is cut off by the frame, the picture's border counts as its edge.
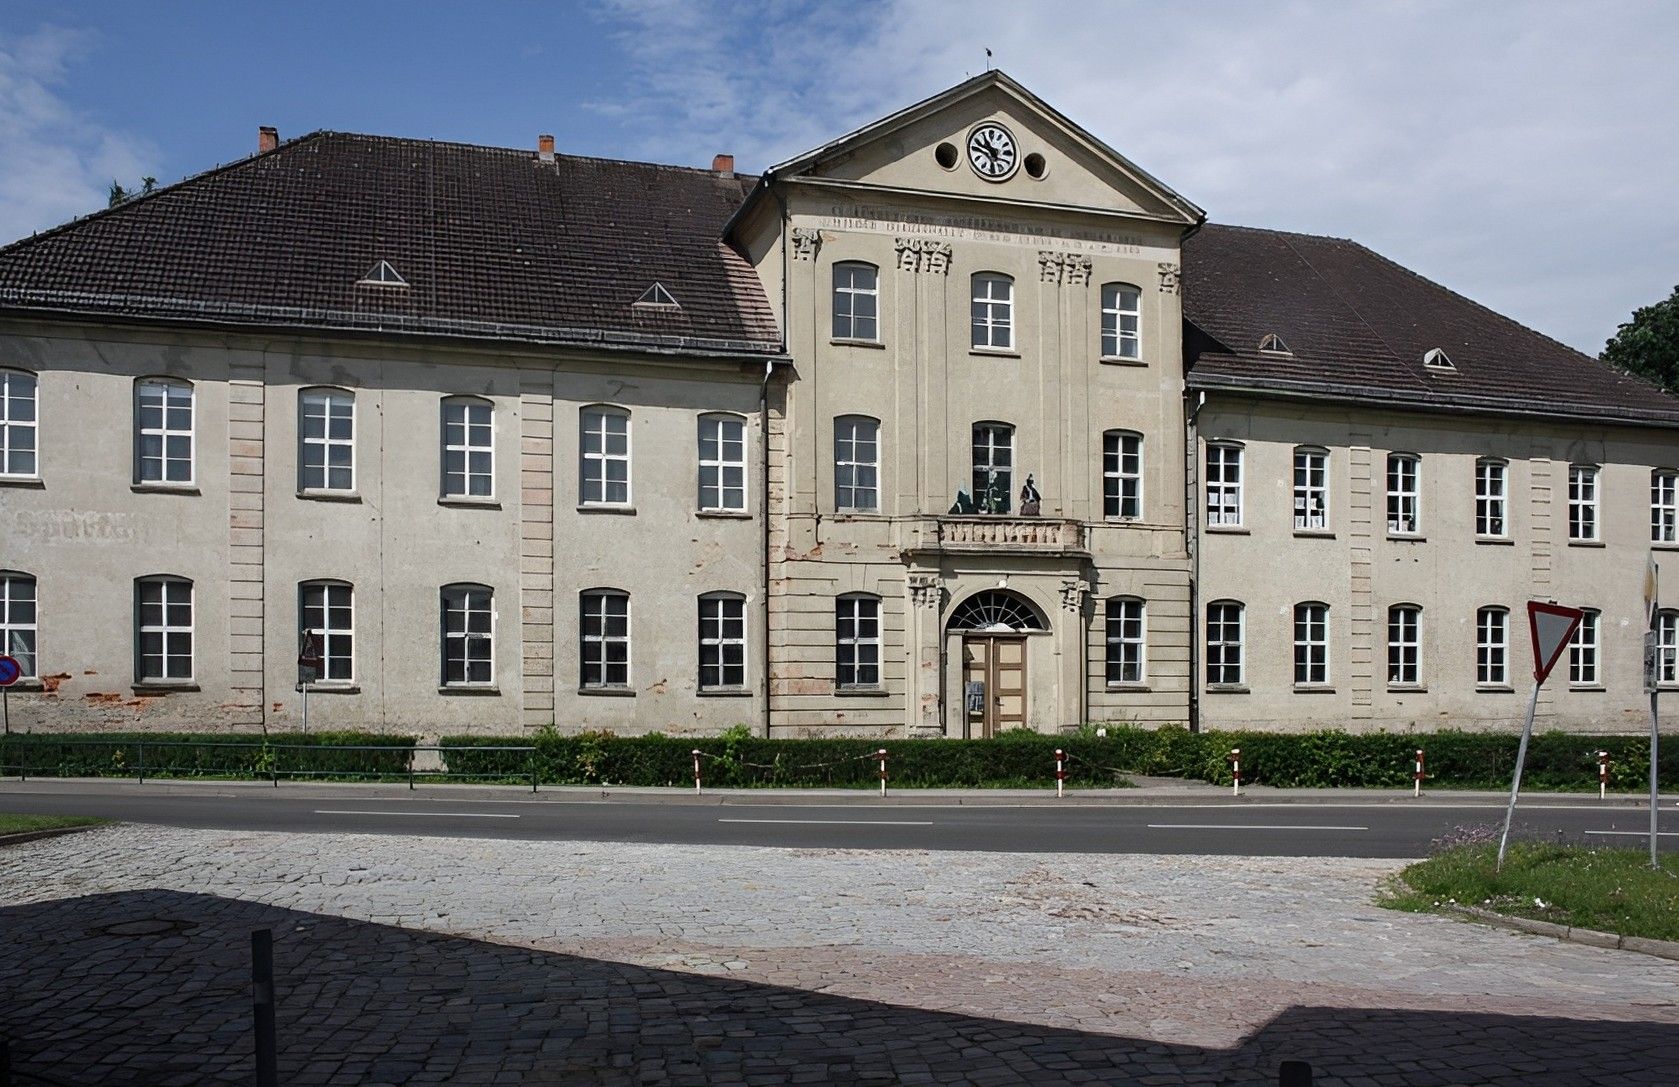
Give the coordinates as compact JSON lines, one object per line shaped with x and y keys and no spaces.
{"x":1027,"y":760}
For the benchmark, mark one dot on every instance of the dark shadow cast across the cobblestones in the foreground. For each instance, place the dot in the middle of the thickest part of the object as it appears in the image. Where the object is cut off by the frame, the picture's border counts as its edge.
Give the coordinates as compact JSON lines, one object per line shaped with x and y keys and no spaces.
{"x":154,"y":989}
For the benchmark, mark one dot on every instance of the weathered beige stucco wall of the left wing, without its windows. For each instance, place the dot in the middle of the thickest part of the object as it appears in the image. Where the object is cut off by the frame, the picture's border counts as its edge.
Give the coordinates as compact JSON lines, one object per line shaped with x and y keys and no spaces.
{"x":248,"y":538}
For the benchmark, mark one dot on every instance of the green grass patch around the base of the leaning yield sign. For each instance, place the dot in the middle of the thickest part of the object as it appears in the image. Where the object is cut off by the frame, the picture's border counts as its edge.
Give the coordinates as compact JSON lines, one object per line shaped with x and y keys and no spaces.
{"x":1604,"y":890}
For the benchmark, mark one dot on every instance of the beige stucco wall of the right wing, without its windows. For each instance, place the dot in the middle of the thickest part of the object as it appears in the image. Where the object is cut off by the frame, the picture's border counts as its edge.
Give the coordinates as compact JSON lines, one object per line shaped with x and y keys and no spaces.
{"x":1359,"y":572}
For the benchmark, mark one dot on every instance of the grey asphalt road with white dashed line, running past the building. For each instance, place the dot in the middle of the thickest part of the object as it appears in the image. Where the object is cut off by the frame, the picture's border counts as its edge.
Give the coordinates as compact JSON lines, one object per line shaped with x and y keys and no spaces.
{"x":988,"y":824}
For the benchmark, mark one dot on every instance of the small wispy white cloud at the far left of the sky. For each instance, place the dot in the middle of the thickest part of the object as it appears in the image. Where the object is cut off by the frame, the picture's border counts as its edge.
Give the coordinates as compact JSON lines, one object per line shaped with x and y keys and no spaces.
{"x":55,"y":164}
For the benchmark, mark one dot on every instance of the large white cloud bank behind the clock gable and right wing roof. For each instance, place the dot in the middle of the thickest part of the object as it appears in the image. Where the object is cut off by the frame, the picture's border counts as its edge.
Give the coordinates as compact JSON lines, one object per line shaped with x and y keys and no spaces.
{"x":1524,"y":154}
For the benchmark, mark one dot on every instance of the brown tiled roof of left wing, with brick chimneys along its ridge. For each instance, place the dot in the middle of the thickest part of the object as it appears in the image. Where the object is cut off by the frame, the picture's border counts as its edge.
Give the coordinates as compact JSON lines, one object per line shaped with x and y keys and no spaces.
{"x":489,"y":241}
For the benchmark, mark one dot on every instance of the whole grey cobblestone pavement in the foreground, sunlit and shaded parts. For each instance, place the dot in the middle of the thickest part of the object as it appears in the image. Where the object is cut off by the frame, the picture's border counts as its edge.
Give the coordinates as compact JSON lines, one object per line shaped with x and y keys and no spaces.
{"x":125,"y":960}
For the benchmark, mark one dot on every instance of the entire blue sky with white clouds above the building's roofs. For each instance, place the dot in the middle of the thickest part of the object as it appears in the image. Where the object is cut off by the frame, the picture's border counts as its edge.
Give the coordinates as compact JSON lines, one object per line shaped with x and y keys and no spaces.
{"x":1522,"y":154}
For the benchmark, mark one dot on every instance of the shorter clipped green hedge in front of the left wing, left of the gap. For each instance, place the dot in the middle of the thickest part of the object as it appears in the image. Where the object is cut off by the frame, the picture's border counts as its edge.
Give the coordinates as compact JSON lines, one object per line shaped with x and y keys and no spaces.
{"x":199,"y":755}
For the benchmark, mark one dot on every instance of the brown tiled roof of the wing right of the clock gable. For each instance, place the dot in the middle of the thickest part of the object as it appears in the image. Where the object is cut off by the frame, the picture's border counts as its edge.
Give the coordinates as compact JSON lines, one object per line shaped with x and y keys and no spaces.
{"x":1357,"y":328}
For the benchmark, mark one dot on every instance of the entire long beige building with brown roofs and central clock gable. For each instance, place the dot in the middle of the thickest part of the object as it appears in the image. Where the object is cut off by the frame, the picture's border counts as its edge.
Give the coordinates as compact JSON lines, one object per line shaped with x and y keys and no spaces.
{"x":958,"y":424}
